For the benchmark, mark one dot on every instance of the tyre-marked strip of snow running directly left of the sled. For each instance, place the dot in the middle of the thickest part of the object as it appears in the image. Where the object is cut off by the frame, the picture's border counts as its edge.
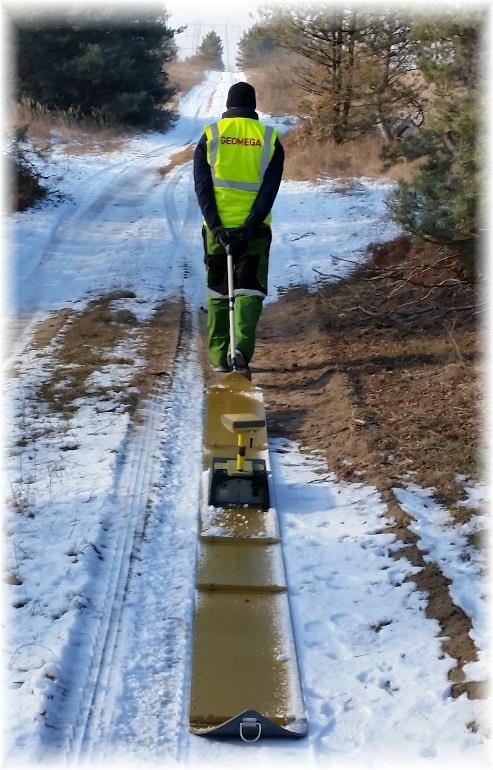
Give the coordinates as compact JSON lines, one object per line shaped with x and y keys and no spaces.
{"x":142,"y":709}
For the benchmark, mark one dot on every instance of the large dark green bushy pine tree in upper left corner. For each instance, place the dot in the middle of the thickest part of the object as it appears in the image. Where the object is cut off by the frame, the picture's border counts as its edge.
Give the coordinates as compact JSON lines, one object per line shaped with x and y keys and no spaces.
{"x":97,"y":63}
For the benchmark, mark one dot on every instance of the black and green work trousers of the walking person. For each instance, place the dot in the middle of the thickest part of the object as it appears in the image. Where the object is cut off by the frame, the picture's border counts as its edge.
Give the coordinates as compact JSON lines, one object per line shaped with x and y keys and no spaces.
{"x":250,"y":282}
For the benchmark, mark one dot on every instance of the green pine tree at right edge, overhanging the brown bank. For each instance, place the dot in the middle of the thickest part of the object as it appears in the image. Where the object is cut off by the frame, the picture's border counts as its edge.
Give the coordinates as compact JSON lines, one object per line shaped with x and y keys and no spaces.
{"x":441,"y":202}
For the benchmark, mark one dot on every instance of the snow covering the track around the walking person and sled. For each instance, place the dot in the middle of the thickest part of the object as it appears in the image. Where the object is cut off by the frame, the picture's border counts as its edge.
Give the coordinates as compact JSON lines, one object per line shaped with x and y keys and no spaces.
{"x":102,"y":529}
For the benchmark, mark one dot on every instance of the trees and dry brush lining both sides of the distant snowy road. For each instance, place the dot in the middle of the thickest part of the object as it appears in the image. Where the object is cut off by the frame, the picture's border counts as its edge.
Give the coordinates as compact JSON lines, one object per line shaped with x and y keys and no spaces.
{"x":371,"y":92}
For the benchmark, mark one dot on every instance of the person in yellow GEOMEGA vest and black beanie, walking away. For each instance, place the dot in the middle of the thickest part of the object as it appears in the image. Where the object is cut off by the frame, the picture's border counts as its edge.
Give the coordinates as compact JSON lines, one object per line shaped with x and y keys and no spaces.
{"x":238,"y":165}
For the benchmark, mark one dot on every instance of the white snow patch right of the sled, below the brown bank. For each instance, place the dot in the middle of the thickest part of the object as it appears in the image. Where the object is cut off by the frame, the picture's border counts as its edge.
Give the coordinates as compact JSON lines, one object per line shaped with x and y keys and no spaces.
{"x":373,"y":671}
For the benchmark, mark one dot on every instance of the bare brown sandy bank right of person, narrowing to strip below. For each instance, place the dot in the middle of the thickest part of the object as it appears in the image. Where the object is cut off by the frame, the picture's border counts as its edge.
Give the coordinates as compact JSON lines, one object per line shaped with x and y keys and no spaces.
{"x":382,"y":393}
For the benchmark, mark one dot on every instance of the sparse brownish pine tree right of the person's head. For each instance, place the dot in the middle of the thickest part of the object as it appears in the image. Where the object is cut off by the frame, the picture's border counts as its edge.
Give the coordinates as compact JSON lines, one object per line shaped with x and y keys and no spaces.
{"x":354,"y":66}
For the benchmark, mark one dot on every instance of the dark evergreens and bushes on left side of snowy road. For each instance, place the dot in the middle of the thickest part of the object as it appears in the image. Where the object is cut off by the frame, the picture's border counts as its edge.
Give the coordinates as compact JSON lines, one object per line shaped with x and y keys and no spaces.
{"x":96,"y":72}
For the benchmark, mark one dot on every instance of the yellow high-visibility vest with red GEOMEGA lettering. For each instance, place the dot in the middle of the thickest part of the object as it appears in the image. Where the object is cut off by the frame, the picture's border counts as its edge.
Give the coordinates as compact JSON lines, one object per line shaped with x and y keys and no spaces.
{"x":238,"y":152}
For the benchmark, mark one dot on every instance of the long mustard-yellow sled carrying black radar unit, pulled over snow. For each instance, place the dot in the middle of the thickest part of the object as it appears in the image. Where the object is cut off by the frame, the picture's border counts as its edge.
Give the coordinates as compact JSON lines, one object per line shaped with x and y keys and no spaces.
{"x":245,"y":679}
